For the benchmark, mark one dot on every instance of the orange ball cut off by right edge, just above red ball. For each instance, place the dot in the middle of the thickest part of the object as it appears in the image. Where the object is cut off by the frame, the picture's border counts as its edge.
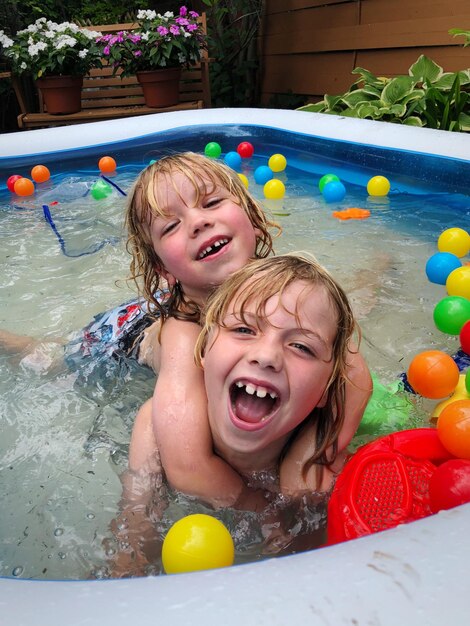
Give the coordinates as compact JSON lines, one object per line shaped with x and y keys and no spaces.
{"x":453,"y":428}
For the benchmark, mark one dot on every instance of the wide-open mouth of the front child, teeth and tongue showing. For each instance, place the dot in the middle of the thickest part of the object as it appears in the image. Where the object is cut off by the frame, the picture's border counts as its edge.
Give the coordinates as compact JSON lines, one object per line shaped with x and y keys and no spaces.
{"x":252,"y":403}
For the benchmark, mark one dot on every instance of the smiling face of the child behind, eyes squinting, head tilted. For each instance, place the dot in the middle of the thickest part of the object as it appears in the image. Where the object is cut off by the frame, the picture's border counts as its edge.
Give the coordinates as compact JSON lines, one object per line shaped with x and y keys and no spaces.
{"x":202,"y":241}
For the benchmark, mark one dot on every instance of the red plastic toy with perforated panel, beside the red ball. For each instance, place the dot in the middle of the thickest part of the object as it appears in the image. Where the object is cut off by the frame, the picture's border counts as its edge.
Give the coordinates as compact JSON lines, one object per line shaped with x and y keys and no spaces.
{"x":385,"y":483}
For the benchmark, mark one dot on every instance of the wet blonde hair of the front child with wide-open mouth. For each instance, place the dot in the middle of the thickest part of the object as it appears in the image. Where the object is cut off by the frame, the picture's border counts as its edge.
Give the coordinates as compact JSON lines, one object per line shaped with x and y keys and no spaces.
{"x":259,"y":281}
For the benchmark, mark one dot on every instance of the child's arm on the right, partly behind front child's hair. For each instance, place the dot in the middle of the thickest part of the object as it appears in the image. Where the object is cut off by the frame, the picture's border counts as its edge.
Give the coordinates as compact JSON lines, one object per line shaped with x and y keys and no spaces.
{"x":358,"y":392}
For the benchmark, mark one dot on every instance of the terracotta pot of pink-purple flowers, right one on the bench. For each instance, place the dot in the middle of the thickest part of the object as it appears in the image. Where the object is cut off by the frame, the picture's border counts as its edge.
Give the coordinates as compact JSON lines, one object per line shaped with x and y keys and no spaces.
{"x":156,"y":51}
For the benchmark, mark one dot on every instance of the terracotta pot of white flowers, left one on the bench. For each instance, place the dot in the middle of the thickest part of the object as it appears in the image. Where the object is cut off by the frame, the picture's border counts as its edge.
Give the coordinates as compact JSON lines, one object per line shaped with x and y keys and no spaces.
{"x":57,"y":56}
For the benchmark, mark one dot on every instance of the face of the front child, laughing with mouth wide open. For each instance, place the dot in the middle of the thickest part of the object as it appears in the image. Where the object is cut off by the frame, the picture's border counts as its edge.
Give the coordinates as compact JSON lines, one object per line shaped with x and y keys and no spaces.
{"x":264,"y":379}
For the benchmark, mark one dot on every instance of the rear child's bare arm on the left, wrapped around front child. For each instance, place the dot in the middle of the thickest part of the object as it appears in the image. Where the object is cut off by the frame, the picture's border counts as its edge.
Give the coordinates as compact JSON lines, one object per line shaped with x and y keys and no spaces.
{"x":181,"y":426}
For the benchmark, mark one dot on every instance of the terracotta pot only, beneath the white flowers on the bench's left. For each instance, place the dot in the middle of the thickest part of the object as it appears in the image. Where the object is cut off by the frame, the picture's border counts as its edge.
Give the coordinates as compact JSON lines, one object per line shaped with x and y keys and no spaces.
{"x":61,"y":94}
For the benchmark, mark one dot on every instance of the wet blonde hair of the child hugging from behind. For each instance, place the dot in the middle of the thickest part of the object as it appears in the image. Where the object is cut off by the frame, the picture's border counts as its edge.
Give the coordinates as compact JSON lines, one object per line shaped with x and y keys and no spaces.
{"x":205,"y":174}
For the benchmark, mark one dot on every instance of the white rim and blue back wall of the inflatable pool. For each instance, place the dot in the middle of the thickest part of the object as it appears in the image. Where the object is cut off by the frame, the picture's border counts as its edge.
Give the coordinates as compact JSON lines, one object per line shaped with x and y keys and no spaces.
{"x":415,"y":573}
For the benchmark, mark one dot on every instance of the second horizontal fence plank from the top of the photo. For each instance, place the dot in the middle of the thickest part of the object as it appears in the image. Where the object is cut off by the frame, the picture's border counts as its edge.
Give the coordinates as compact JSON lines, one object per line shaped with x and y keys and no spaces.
{"x":433,"y":32}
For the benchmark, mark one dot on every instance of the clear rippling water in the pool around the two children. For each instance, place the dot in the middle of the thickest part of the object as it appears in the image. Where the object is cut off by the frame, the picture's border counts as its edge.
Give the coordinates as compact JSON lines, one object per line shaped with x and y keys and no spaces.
{"x":65,"y":442}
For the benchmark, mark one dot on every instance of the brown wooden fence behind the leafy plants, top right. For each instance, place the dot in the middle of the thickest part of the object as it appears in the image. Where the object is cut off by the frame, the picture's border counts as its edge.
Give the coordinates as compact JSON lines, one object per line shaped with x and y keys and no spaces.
{"x":310,"y":47}
